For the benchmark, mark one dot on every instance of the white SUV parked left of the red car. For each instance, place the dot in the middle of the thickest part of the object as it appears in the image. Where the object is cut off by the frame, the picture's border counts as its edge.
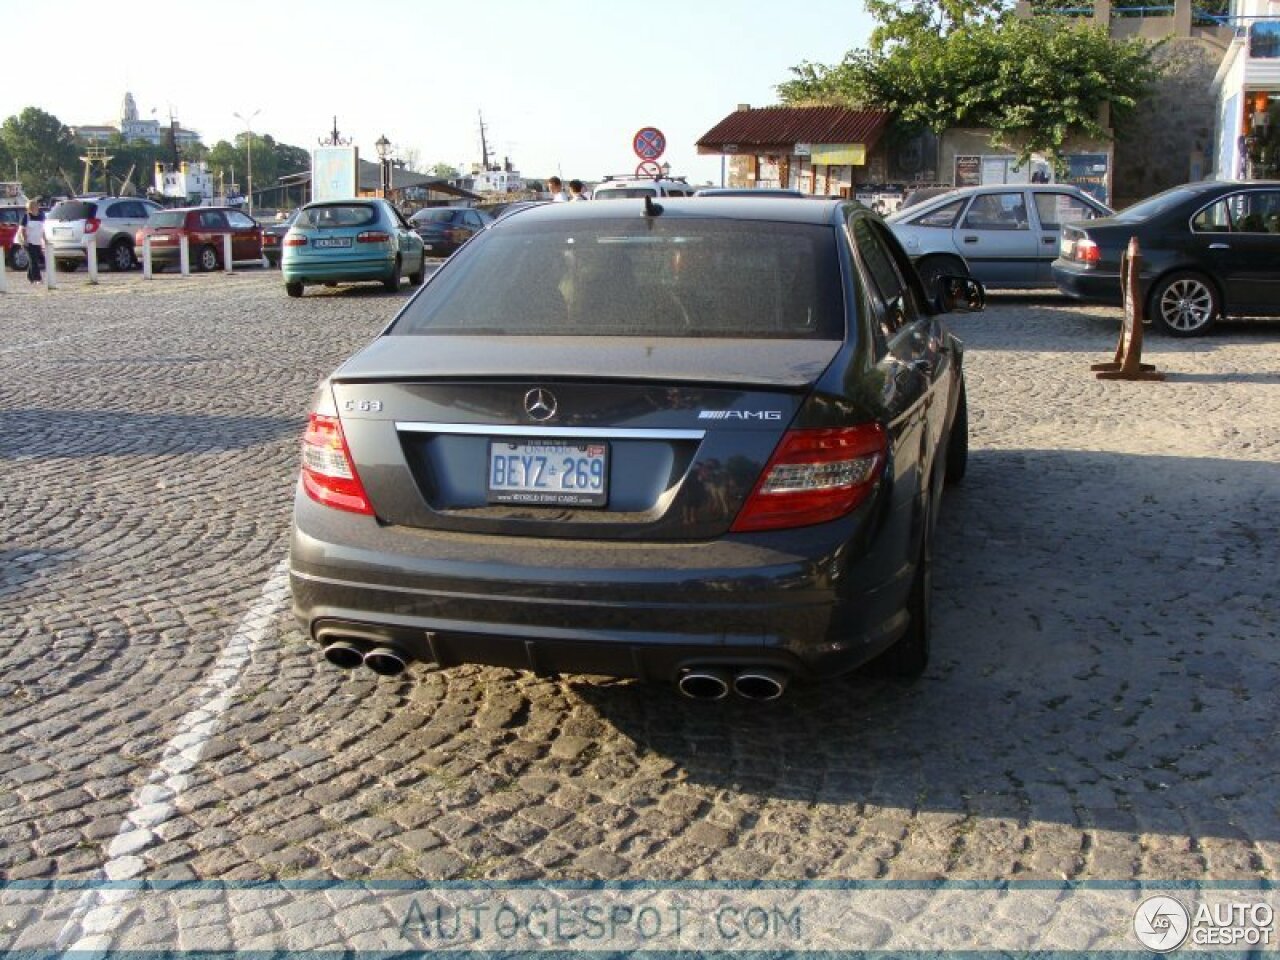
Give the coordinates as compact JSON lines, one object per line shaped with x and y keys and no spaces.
{"x":112,"y":222}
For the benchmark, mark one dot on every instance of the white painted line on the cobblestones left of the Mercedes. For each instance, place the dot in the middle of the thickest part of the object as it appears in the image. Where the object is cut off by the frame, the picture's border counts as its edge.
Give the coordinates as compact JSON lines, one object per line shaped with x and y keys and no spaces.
{"x":102,"y":911}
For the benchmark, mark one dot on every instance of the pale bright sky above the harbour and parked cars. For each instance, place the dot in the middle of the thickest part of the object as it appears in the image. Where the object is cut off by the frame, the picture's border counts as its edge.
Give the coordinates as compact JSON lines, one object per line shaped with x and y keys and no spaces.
{"x":563,"y":86}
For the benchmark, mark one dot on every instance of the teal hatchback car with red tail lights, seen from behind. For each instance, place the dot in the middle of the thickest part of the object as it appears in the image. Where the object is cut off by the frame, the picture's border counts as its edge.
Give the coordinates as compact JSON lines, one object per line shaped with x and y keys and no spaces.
{"x":339,"y":241}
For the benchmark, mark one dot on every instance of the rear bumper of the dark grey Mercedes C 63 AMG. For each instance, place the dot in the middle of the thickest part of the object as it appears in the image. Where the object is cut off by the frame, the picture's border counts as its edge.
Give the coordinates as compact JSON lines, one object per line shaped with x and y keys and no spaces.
{"x":792,"y":601}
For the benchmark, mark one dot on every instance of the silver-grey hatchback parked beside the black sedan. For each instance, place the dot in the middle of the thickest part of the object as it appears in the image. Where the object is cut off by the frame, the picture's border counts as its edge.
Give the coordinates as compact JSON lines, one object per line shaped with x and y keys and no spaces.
{"x":1007,"y":235}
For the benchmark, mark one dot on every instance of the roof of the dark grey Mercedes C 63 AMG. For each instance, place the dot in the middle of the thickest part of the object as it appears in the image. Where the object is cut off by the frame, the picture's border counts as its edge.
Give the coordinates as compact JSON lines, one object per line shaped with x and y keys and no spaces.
{"x":774,"y":208}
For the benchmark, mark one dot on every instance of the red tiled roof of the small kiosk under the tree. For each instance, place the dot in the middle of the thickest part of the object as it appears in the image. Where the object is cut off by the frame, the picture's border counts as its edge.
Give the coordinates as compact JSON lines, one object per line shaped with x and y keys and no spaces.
{"x":778,"y":126}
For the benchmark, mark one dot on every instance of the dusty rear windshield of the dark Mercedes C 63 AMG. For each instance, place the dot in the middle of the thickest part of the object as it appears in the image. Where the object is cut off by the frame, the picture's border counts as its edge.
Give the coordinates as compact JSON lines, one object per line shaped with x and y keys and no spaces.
{"x":639,"y":277}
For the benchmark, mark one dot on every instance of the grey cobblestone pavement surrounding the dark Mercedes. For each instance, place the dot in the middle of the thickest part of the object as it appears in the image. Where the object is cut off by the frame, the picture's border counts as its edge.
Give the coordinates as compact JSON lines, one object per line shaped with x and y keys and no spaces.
{"x":1101,"y":705}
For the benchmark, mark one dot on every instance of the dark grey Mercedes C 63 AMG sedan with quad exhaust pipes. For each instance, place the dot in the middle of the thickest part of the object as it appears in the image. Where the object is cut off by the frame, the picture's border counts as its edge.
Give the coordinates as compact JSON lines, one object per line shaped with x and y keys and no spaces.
{"x":702,"y":444}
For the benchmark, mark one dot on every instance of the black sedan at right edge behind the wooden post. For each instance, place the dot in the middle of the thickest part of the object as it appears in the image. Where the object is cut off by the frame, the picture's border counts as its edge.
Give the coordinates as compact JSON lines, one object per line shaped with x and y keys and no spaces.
{"x":1209,"y":250}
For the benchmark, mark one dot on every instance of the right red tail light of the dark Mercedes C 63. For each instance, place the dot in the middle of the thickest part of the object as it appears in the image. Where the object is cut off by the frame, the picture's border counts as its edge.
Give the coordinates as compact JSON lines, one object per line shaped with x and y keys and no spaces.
{"x":815,"y":477}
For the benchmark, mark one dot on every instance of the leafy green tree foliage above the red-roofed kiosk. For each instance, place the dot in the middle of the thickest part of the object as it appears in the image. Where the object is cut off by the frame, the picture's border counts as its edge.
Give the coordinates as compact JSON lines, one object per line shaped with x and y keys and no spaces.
{"x":971,"y":63}
